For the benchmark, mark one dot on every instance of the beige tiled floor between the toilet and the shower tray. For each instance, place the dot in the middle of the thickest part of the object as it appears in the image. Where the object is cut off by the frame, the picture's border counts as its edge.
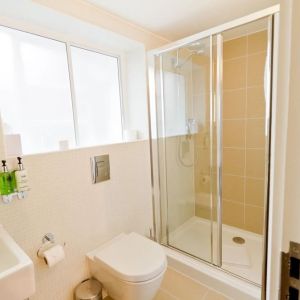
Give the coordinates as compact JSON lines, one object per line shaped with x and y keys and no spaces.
{"x":177,"y":286}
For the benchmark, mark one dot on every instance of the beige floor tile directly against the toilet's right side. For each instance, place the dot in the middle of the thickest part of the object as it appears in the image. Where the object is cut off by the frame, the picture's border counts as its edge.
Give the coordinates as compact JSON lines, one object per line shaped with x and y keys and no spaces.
{"x":182,"y":287}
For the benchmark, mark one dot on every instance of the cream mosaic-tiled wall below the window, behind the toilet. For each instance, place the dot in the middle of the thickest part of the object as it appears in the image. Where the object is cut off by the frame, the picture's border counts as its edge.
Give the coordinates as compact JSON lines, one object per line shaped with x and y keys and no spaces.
{"x":63,"y":201}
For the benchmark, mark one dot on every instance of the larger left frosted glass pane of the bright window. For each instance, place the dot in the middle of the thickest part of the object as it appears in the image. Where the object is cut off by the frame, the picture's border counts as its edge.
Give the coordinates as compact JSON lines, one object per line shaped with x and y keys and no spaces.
{"x":35,"y":98}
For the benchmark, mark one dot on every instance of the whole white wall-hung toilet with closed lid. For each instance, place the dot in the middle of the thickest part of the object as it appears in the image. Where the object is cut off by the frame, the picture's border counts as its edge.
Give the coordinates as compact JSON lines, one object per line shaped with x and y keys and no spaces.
{"x":130,"y":267}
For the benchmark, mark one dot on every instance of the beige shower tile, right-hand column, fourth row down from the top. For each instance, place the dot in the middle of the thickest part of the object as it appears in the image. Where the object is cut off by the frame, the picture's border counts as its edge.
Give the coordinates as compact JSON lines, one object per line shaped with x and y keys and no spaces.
{"x":255,"y":133}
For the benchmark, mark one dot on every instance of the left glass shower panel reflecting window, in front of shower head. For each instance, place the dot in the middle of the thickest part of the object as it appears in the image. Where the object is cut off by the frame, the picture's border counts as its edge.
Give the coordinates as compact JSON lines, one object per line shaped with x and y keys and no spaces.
{"x":184,"y":126}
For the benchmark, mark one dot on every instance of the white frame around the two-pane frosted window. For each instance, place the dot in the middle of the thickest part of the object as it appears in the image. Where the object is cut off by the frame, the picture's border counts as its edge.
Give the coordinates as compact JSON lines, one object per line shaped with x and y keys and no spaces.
{"x":82,"y":44}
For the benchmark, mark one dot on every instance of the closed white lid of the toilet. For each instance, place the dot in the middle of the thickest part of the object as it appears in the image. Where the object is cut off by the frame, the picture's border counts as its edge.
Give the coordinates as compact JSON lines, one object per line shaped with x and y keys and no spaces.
{"x":132,"y":257}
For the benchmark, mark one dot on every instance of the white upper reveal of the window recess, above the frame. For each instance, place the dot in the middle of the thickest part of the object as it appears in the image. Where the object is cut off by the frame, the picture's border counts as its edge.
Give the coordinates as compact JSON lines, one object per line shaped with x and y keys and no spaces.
{"x":33,"y":17}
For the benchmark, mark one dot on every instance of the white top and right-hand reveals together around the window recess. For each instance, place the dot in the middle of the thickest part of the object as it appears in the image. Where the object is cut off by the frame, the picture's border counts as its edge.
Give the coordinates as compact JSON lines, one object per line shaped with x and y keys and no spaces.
{"x":28,"y":16}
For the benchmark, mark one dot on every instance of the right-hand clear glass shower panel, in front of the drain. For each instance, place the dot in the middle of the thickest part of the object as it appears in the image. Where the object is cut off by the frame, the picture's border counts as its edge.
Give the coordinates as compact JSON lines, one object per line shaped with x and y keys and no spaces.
{"x":246,"y":70}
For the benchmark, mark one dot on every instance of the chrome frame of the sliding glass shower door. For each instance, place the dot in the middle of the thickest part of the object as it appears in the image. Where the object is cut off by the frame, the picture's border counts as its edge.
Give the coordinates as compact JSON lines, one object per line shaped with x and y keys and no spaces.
{"x":216,"y":117}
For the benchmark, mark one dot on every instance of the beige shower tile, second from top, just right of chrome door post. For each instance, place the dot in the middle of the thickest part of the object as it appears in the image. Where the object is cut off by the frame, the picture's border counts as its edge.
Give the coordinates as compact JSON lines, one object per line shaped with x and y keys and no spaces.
{"x":234,"y":73}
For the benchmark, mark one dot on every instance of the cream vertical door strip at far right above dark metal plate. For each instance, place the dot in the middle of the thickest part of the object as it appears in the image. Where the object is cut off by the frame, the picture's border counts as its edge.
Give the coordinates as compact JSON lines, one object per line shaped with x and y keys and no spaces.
{"x":291,"y":229}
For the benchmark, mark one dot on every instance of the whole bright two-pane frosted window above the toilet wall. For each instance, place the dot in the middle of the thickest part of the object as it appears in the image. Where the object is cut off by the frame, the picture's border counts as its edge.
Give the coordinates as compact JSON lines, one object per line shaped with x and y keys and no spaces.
{"x":35,"y":93}
